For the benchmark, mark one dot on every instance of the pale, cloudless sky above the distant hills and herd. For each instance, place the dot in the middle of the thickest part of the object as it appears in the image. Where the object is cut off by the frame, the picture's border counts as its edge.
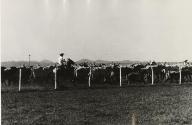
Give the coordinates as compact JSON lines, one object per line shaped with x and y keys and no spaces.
{"x":142,"y":30}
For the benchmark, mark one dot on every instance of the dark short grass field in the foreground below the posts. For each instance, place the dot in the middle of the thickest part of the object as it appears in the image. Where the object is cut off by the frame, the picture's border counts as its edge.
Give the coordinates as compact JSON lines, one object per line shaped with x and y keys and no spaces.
{"x":151,"y":105}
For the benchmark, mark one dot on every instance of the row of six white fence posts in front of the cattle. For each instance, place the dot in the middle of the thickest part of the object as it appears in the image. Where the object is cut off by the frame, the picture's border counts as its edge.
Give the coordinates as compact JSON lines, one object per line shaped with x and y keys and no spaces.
{"x":89,"y":79}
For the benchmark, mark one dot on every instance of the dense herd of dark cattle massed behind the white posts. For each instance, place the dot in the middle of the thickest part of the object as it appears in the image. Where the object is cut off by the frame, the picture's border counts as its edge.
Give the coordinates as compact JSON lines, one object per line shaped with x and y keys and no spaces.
{"x":98,"y":74}
